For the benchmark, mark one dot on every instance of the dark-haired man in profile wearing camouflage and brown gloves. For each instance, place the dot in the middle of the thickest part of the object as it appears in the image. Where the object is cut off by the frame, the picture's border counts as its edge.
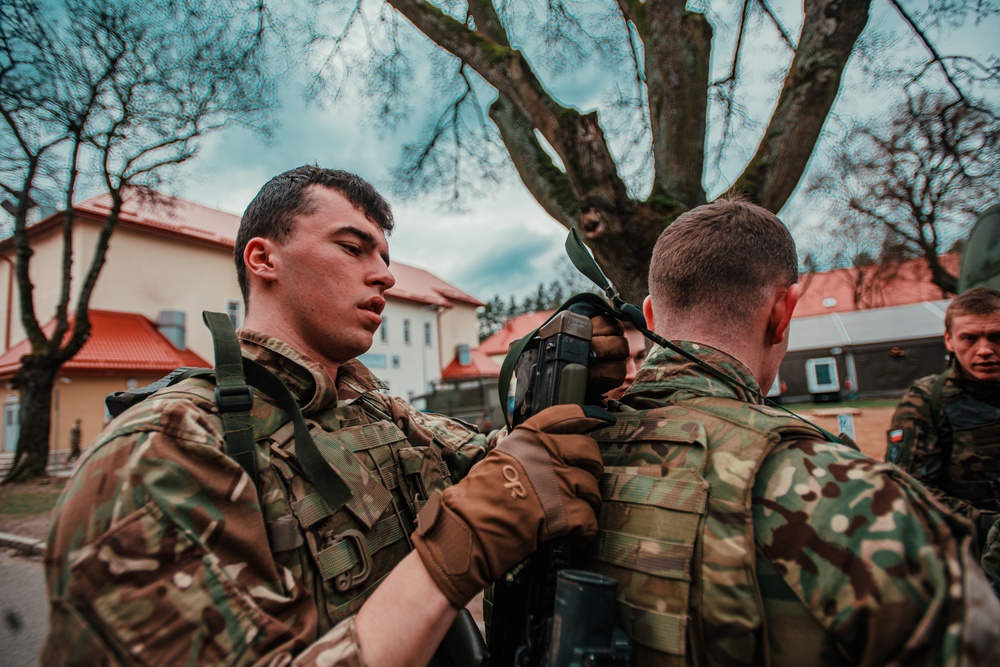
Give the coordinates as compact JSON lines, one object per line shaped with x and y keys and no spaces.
{"x":164,"y":550}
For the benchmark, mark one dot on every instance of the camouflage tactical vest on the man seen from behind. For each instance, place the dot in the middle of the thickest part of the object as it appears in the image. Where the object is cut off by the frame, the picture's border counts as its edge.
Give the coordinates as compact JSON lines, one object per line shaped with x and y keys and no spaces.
{"x":676,"y":528}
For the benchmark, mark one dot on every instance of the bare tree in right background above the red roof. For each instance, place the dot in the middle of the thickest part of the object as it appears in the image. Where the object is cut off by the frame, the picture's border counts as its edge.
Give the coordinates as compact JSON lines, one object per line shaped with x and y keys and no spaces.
{"x":919,"y":179}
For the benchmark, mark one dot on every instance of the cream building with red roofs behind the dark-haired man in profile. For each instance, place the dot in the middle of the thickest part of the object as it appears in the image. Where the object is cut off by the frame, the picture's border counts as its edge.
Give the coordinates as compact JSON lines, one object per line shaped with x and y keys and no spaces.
{"x":168,"y":261}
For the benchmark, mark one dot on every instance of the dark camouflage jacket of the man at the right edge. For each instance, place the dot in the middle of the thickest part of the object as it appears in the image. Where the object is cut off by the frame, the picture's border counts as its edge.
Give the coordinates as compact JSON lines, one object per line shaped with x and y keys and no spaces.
{"x":954,"y":447}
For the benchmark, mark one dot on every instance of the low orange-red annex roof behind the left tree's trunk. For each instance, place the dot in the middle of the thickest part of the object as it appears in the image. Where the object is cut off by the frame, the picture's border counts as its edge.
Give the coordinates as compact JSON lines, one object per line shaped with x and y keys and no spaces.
{"x":118,"y":343}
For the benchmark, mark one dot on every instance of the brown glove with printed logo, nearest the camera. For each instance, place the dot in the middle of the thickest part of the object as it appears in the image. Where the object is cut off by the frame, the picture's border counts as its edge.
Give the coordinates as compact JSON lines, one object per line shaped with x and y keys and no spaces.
{"x":540,"y":482}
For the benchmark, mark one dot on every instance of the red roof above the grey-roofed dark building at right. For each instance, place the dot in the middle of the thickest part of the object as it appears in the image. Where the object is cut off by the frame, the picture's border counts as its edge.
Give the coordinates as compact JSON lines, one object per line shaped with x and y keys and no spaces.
{"x":832,"y":291}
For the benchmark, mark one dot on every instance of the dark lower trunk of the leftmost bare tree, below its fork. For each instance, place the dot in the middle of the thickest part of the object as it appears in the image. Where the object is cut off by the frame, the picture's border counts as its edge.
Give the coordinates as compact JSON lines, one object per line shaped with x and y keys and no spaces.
{"x":35,"y":381}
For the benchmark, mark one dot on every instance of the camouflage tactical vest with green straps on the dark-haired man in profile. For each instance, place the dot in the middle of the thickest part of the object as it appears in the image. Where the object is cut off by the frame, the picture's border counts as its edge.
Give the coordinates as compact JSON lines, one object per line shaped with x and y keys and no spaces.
{"x":379,"y":480}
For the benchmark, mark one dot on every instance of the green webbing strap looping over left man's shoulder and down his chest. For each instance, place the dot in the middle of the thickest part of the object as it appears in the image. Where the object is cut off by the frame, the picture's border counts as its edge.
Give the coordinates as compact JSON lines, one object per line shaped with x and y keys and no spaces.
{"x":235,"y":399}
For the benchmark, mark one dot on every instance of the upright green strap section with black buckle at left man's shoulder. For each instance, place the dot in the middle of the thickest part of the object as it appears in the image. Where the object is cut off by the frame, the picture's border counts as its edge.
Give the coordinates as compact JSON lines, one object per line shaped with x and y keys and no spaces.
{"x":233,"y":396}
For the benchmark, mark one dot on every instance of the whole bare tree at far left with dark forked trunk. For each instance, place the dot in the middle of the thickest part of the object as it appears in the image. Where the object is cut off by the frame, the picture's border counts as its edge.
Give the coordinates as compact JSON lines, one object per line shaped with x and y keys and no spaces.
{"x":107,"y":96}
